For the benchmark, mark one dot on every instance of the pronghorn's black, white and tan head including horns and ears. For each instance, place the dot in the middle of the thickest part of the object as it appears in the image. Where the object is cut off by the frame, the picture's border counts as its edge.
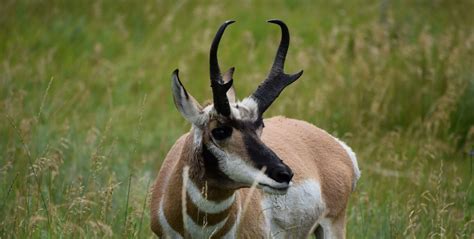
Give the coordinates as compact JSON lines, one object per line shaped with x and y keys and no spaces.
{"x":227,"y":132}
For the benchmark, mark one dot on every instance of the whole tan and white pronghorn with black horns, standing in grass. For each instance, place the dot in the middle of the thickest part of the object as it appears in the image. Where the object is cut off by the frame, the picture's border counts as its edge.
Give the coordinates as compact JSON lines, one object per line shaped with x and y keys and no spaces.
{"x":206,"y":185}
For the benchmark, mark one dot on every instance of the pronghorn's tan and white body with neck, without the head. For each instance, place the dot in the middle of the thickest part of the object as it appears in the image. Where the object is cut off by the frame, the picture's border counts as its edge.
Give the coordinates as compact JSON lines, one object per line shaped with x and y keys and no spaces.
{"x":325,"y":173}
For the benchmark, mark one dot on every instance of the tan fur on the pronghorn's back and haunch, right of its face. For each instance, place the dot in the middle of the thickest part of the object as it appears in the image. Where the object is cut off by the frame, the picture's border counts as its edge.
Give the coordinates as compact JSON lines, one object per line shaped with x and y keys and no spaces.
{"x":307,"y":150}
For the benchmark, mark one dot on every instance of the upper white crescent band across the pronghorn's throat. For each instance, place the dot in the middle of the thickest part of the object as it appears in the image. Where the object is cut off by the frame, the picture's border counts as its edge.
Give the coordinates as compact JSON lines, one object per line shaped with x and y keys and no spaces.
{"x":205,"y":205}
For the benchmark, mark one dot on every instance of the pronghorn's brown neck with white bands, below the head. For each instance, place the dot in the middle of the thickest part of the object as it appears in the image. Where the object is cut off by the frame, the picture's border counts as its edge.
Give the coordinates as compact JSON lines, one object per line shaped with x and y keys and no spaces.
{"x":205,"y":211}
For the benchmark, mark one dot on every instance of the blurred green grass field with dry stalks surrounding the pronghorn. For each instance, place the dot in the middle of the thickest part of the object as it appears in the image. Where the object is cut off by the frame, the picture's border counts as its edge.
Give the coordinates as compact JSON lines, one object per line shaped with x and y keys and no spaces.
{"x":87,"y":114}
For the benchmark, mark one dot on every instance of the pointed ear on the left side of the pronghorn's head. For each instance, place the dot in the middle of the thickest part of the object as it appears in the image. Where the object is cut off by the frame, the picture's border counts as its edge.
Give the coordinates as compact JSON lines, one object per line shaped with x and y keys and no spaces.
{"x":189,"y":108}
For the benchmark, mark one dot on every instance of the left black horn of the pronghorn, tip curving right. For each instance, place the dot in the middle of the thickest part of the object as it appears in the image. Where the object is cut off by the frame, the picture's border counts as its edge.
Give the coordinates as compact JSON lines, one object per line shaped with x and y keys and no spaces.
{"x":219,"y":87}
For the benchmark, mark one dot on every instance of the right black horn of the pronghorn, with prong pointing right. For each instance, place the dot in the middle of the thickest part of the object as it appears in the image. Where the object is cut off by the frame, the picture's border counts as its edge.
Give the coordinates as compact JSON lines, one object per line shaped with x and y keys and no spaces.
{"x":277,"y":79}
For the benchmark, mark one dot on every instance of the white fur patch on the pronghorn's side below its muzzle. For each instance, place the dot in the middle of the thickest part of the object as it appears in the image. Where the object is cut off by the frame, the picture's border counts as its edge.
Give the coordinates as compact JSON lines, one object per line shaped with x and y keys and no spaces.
{"x":294,"y":214}
